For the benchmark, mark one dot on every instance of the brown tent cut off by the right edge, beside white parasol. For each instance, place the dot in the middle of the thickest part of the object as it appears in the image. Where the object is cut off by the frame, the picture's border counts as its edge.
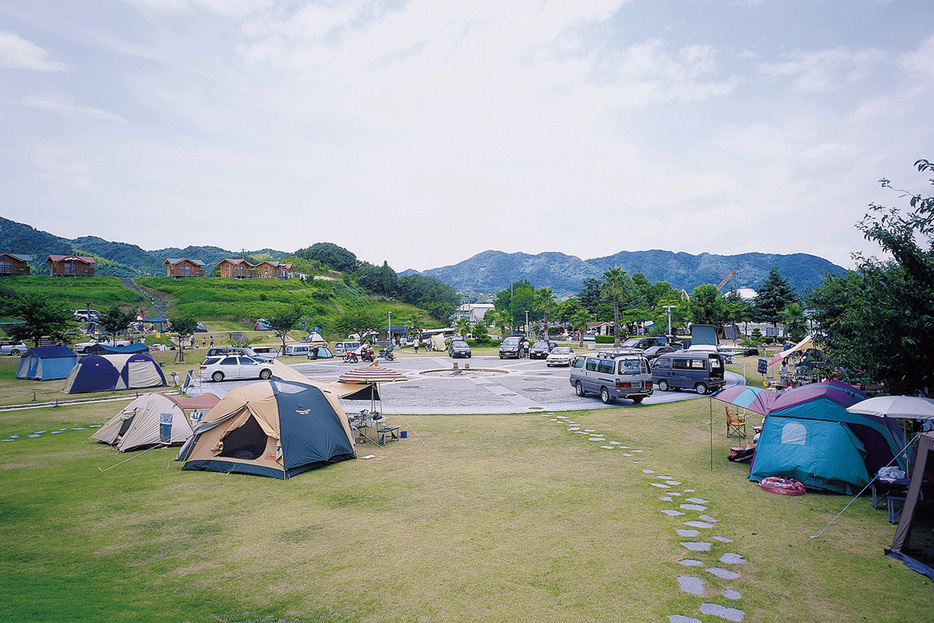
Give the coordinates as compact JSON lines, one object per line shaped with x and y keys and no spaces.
{"x":914,"y":537}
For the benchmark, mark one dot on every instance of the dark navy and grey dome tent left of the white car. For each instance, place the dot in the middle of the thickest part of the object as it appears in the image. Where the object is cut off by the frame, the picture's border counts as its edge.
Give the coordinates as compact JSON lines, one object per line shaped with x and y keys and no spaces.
{"x":103,"y":373}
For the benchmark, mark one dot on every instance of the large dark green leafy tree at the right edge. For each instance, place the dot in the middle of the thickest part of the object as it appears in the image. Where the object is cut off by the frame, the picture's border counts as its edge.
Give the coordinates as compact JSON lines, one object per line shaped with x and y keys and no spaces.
{"x":878,"y":319}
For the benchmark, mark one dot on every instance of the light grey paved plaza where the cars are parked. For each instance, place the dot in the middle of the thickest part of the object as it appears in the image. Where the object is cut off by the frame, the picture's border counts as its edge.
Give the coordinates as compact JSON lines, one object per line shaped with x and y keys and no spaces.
{"x":490,"y":385}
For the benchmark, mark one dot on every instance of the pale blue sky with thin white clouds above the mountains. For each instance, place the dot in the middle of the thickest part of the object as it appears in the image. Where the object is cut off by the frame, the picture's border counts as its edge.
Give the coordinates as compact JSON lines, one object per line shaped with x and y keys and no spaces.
{"x":424,"y":132}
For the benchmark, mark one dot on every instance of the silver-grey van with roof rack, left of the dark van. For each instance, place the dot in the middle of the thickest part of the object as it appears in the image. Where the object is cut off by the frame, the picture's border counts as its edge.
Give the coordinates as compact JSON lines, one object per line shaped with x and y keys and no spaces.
{"x":625,"y":376}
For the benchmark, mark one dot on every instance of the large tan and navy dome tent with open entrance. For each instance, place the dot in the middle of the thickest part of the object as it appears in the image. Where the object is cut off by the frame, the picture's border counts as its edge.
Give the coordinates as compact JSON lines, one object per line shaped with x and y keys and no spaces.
{"x":277,"y":428}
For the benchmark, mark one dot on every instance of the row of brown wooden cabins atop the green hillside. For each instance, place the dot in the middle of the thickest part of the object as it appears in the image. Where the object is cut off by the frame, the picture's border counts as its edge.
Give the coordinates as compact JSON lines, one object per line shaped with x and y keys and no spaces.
{"x":82,"y":266}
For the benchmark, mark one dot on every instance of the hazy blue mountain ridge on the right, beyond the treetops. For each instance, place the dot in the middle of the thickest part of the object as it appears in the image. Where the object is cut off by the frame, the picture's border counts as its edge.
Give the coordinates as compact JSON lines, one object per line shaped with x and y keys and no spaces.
{"x":492,"y":271}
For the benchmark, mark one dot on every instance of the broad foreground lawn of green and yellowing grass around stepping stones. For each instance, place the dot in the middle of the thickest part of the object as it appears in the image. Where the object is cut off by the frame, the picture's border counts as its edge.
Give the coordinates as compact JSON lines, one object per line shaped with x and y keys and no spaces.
{"x":482,"y":518}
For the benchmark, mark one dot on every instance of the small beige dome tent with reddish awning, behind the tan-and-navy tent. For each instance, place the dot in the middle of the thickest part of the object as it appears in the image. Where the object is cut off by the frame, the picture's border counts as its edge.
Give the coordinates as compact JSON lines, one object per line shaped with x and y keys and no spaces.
{"x":152,"y":419}
